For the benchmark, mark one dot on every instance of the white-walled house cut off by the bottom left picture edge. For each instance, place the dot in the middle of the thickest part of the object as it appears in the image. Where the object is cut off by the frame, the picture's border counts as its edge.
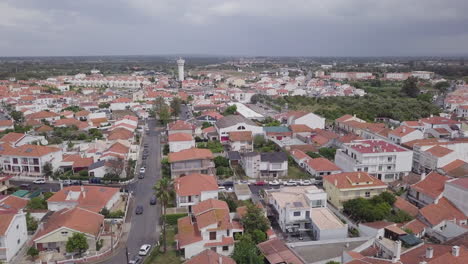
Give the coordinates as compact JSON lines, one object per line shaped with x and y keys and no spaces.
{"x":13,"y":233}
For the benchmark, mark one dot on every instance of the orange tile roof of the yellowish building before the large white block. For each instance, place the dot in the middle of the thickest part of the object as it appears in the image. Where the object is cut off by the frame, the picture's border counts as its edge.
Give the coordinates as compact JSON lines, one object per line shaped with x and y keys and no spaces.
{"x":350,"y":180}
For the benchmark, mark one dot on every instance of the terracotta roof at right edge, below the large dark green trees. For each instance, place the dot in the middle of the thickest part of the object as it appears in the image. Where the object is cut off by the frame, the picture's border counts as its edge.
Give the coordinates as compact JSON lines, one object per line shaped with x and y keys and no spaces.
{"x":443,"y":210}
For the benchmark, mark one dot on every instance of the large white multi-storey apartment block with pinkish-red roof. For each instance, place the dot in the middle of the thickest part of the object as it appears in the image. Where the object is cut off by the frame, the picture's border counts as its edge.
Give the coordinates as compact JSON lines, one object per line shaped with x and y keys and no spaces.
{"x":386,"y":161}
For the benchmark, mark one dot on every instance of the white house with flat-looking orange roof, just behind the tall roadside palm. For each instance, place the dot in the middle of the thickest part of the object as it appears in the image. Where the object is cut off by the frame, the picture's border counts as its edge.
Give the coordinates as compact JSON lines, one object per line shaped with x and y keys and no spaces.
{"x":194,"y":188}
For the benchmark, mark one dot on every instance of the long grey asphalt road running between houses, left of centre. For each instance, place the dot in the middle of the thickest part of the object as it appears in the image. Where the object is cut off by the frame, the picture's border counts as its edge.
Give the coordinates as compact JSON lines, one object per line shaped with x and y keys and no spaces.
{"x":145,"y":228}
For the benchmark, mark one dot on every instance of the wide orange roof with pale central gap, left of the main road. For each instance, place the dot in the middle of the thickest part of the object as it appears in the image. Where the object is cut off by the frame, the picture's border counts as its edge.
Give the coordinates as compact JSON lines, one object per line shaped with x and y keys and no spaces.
{"x":92,"y":198}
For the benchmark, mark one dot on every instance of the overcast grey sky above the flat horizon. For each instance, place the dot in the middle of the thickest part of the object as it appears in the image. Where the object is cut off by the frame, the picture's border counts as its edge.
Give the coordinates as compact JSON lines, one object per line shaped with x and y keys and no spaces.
{"x":234,"y":27}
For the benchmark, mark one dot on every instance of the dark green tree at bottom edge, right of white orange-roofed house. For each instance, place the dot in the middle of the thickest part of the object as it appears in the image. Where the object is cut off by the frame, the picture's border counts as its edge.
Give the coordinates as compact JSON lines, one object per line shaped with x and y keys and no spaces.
{"x":246,"y":252}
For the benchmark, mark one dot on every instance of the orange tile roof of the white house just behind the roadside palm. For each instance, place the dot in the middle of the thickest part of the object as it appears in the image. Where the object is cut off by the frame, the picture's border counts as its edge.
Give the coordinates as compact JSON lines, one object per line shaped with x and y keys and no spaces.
{"x":194,"y":184}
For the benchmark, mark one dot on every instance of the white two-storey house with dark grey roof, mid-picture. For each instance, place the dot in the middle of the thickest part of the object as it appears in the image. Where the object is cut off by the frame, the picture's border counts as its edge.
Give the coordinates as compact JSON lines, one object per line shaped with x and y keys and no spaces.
{"x":267,"y":164}
